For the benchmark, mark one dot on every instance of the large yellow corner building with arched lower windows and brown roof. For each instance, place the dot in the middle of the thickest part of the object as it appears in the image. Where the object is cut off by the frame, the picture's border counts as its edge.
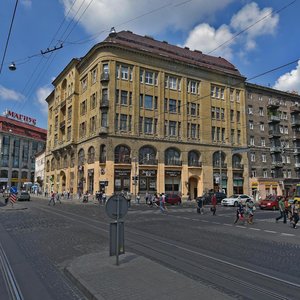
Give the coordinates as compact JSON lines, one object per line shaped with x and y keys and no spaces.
{"x":141,"y":115}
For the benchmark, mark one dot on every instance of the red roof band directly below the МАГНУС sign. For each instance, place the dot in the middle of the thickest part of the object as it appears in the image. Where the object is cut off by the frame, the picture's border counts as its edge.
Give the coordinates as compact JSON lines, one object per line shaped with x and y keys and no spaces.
{"x":20,"y":128}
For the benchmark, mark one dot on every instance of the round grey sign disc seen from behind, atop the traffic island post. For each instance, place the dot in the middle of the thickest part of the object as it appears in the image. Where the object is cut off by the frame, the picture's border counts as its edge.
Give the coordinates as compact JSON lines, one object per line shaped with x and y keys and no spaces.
{"x":116,"y":207}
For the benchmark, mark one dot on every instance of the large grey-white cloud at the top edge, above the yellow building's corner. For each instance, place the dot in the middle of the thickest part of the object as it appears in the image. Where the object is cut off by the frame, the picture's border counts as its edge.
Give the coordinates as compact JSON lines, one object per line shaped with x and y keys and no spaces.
{"x":144,"y":17}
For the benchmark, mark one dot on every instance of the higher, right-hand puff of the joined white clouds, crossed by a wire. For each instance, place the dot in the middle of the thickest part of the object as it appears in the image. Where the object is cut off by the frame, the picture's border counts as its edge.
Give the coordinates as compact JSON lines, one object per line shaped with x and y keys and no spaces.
{"x":248,"y":16}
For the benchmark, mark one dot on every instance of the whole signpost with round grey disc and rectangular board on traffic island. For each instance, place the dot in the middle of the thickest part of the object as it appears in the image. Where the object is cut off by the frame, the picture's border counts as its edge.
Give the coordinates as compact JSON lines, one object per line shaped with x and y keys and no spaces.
{"x":116,"y":208}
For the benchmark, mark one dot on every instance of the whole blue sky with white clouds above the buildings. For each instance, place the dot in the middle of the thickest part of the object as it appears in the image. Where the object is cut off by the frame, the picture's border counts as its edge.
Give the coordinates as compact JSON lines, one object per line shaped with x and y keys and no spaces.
{"x":270,"y":41}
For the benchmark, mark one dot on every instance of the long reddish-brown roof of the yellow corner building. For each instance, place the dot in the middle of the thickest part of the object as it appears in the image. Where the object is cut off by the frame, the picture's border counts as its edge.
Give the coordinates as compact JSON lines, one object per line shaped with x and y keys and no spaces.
{"x":166,"y":50}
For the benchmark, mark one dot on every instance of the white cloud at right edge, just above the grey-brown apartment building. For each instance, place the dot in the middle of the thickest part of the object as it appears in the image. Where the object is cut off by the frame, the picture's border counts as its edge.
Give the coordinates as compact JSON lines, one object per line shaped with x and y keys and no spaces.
{"x":289,"y":81}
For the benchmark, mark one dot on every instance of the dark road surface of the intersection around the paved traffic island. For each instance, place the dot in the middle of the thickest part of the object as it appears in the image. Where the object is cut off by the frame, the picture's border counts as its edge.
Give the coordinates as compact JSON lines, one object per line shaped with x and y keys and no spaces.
{"x":259,"y":261}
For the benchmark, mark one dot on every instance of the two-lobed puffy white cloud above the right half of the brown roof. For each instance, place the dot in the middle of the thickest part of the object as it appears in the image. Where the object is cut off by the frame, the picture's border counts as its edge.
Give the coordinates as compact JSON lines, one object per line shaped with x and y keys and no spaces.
{"x":206,"y":38}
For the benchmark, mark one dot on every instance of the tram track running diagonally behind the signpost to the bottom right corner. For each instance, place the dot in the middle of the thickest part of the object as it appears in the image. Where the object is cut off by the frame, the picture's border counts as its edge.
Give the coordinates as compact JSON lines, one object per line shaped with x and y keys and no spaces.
{"x":223,"y":274}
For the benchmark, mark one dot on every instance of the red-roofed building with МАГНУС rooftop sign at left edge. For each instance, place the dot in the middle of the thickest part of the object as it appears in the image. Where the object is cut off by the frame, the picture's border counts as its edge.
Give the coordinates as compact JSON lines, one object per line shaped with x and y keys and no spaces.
{"x":20,"y":140}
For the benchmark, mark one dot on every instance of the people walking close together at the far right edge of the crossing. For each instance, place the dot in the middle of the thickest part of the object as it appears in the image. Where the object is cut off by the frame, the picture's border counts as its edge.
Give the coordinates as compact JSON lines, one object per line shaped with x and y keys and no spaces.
{"x":287,"y":211}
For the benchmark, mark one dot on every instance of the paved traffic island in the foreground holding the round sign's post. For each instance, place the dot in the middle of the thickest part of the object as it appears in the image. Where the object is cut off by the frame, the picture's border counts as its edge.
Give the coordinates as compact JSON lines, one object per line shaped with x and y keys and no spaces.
{"x":136,"y":278}
